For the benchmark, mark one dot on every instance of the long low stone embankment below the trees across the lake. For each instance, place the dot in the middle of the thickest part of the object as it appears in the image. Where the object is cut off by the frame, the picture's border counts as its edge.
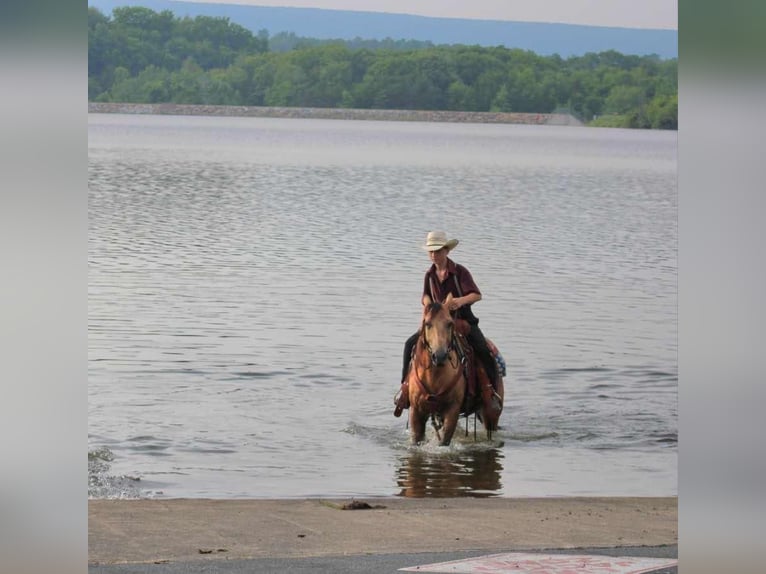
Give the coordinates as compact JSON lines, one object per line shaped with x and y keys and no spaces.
{"x":335,"y":114}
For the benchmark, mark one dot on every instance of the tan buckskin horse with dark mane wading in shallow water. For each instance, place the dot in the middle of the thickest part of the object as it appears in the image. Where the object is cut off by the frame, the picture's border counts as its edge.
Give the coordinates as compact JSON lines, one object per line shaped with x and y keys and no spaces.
{"x":438,"y":382}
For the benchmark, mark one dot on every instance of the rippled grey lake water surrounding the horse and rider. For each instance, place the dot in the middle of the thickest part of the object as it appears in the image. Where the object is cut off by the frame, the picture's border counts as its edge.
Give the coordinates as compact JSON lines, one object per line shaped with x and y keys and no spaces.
{"x":252,"y":282}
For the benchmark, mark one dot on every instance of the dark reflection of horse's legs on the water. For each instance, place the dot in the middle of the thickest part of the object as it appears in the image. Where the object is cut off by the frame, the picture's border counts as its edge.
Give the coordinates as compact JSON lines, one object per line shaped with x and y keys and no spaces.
{"x":467,"y":473}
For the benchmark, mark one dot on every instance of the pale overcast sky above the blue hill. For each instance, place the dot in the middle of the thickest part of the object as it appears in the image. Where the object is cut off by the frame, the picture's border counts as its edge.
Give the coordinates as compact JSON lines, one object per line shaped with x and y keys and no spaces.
{"x":621,"y":13}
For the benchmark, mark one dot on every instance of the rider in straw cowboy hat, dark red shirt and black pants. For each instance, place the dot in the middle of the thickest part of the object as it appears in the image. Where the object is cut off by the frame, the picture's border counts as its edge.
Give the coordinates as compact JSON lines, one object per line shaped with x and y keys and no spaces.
{"x":446,"y":277}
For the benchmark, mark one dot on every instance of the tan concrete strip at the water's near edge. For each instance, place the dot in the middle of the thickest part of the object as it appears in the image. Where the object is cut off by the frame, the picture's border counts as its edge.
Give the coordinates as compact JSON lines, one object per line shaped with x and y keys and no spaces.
{"x":187,"y":530}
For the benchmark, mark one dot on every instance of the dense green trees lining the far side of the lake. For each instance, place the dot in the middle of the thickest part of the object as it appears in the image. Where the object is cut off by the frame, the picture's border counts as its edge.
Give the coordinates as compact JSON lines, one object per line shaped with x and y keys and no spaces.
{"x":141,"y":56}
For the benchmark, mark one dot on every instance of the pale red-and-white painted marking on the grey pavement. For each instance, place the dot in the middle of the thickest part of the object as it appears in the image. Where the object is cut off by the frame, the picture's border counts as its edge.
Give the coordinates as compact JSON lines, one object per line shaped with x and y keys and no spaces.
{"x":527,"y":563}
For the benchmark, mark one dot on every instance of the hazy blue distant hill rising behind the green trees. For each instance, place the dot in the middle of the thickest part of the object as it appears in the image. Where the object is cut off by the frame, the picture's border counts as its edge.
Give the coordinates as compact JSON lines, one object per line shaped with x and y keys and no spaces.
{"x":541,"y":38}
